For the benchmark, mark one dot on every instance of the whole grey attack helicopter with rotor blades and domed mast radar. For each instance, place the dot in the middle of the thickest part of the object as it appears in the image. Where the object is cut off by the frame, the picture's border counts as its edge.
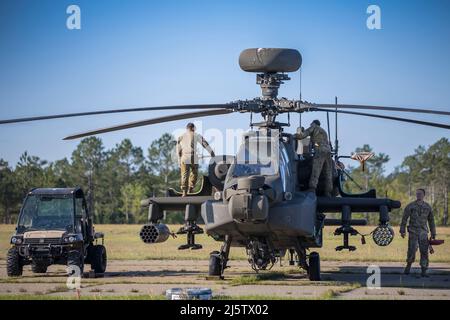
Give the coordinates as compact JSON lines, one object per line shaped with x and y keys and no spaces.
{"x":259,"y":199}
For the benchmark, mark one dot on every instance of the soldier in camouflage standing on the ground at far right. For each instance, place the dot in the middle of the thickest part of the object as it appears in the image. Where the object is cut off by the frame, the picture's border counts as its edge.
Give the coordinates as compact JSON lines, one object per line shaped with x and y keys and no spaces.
{"x":420,"y":215}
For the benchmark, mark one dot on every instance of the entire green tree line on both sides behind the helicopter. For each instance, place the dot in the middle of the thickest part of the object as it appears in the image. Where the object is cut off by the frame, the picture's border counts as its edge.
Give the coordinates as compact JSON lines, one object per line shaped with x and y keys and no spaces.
{"x":117,"y":179}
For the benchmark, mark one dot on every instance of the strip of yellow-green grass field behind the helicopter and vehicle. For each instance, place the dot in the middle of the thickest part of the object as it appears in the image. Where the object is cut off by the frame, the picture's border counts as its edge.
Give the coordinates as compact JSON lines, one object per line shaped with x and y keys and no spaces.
{"x":123,"y":243}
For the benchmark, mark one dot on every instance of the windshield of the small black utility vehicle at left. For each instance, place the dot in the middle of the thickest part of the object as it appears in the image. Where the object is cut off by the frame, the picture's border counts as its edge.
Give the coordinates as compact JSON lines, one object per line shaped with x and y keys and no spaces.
{"x":43,"y":212}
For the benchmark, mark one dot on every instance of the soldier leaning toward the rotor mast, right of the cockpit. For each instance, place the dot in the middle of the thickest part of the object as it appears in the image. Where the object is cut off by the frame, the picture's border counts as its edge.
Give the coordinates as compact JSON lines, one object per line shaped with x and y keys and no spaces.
{"x":322,"y":156}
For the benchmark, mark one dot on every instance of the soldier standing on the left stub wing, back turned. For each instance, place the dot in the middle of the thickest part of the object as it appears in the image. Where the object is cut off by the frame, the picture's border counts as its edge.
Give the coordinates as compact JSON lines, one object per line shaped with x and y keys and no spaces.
{"x":188,"y":158}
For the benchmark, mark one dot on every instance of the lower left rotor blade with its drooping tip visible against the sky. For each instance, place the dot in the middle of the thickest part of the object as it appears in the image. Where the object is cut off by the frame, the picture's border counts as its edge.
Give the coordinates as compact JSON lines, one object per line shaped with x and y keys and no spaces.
{"x":147,"y":122}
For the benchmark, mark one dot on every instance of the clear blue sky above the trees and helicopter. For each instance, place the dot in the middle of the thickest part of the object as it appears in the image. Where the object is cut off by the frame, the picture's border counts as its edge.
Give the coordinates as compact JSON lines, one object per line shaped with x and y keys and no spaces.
{"x":149,"y":53}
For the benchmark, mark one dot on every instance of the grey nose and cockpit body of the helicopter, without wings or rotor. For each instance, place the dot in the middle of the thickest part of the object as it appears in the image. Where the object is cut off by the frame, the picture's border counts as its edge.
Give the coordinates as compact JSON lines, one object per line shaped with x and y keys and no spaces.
{"x":261,"y":197}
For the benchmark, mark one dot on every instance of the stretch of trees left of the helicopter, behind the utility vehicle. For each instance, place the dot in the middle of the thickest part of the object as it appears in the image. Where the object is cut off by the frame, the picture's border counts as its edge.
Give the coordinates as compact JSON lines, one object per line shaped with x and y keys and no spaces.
{"x":114,"y":180}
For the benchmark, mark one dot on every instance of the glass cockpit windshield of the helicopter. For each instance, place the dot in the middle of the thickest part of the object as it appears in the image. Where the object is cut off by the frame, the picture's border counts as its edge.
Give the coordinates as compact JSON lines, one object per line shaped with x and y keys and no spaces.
{"x":257,"y":156}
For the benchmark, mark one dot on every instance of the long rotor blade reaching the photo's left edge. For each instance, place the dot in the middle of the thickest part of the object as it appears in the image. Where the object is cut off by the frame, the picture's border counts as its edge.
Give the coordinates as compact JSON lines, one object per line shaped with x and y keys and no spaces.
{"x":92,"y":113}
